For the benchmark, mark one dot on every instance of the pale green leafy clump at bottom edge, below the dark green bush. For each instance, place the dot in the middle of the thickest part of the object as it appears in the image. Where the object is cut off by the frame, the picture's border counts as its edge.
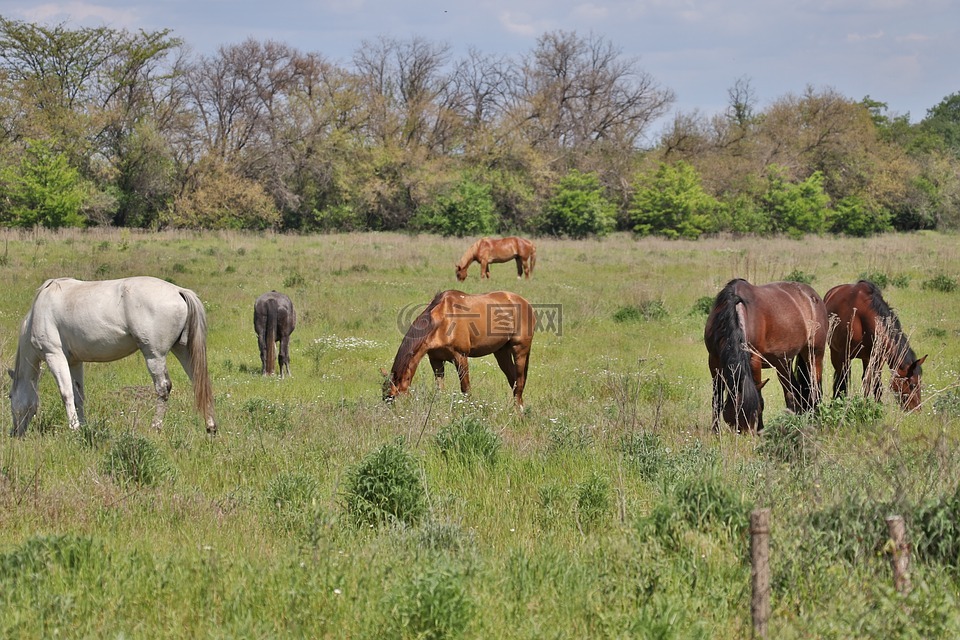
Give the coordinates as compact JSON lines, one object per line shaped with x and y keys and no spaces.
{"x":432,"y":605}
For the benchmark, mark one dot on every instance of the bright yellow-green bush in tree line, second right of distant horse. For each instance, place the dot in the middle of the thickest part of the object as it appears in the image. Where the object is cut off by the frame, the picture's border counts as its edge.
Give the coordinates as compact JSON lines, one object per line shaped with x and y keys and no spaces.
{"x":672,"y":203}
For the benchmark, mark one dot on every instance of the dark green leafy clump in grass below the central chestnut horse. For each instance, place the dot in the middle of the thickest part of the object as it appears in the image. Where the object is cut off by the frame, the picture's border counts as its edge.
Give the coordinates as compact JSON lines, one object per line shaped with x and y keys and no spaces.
{"x":385,"y":487}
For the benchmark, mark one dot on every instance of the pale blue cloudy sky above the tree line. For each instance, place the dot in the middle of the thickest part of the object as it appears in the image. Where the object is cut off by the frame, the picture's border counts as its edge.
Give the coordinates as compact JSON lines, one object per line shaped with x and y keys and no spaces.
{"x":902,"y":52}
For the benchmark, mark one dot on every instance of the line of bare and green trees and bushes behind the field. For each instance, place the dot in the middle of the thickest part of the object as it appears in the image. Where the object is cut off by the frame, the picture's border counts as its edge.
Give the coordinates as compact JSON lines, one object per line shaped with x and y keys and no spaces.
{"x":100,"y":126}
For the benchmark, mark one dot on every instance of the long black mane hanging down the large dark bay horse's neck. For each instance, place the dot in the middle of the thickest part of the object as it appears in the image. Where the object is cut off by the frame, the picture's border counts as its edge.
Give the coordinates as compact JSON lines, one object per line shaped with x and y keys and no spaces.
{"x":735,"y":359}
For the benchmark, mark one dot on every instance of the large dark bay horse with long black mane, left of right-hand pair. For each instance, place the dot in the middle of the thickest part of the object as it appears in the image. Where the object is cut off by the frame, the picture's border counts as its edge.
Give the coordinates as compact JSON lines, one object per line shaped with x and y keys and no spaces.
{"x":756,"y":327}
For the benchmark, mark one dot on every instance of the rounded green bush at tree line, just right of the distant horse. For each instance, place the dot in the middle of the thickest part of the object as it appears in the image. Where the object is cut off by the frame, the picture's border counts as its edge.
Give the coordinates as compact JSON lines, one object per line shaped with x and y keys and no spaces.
{"x":578,"y":208}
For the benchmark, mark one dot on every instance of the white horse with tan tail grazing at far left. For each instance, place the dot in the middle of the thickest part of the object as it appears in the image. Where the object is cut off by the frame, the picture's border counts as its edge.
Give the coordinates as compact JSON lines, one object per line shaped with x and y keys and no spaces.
{"x":72,"y":322}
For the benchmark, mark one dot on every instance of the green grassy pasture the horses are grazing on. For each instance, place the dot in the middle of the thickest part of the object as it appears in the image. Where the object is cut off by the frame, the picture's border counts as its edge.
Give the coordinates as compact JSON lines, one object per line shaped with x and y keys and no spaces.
{"x":609,"y":509}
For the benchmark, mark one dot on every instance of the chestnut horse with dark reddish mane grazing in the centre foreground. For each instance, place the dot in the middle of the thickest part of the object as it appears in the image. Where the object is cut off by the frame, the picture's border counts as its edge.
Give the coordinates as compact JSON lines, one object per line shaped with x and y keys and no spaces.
{"x":456,"y":326}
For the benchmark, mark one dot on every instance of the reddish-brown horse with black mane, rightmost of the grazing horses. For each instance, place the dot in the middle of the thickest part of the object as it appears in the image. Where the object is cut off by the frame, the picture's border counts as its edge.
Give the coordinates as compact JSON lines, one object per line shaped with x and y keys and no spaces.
{"x":868,"y":329}
